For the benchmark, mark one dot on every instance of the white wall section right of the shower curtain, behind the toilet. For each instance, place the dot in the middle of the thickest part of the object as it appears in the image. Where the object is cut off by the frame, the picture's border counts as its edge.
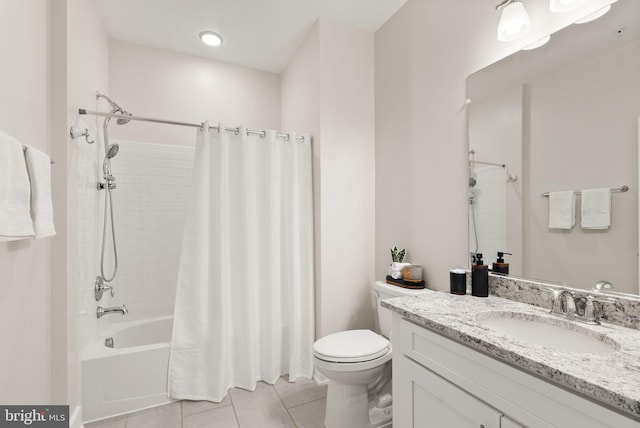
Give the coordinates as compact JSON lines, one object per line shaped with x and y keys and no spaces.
{"x":334,"y":68}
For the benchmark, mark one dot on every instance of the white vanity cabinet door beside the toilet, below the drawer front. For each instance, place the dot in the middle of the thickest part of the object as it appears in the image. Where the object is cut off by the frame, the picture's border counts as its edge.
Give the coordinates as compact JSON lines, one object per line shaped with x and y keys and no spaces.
{"x":437,"y":403}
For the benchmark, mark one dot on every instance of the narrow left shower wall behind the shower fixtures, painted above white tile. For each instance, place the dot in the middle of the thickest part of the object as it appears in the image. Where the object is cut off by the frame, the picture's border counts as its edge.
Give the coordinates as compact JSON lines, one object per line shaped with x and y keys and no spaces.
{"x":87,"y":72}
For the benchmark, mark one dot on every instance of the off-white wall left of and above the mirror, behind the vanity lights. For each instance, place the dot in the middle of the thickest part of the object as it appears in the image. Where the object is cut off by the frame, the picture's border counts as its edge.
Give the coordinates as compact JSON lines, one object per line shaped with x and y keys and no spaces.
{"x":423,"y":55}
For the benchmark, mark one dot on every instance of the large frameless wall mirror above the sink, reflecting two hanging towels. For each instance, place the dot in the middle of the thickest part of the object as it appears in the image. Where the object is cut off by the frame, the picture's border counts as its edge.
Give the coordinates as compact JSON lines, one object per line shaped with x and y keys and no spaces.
{"x":561,"y":117}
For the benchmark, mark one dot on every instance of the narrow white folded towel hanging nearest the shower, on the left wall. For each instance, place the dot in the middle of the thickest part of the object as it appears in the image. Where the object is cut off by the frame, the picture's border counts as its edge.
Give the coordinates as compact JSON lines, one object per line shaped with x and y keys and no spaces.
{"x":39,"y":169}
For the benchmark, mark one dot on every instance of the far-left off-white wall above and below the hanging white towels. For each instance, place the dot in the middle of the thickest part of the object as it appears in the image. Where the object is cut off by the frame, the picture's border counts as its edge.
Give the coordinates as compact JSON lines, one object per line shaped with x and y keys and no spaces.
{"x":25,"y":266}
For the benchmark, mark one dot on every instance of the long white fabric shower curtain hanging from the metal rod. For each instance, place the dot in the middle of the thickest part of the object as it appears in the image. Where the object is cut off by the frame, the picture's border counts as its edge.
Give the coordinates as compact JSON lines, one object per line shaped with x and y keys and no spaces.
{"x":244,"y":302}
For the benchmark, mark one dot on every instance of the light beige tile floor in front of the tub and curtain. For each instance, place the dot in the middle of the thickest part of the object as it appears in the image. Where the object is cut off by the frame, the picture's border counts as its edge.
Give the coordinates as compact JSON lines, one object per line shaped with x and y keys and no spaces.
{"x":283,"y":405}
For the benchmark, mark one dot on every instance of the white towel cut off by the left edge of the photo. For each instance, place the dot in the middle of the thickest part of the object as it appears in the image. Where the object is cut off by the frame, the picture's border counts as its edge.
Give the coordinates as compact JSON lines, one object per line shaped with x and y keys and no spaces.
{"x":15,"y":192}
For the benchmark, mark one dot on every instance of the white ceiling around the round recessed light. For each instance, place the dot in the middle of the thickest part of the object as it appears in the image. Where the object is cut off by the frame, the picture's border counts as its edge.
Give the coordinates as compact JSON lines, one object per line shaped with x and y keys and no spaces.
{"x":261,"y":34}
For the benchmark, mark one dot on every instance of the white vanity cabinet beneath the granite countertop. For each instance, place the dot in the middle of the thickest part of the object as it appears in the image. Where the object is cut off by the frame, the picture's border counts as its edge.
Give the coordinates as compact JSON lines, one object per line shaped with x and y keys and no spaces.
{"x":438,"y":382}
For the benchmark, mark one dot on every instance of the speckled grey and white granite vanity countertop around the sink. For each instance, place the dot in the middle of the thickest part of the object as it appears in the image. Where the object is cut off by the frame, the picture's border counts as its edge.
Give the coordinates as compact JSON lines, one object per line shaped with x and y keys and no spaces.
{"x":610,"y":378}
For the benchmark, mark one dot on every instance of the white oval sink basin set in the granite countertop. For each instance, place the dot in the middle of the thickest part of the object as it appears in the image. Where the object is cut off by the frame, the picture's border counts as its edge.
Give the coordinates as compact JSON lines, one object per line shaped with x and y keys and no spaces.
{"x":548,"y":331}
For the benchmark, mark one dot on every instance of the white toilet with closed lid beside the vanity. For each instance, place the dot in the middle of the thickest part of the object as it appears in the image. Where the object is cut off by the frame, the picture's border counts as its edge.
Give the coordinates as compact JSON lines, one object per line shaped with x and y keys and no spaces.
{"x":358,"y":366}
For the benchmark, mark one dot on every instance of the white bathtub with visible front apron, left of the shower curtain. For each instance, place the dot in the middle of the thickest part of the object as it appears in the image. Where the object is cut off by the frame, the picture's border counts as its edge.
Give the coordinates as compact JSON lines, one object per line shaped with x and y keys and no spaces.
{"x":130,"y":376}
